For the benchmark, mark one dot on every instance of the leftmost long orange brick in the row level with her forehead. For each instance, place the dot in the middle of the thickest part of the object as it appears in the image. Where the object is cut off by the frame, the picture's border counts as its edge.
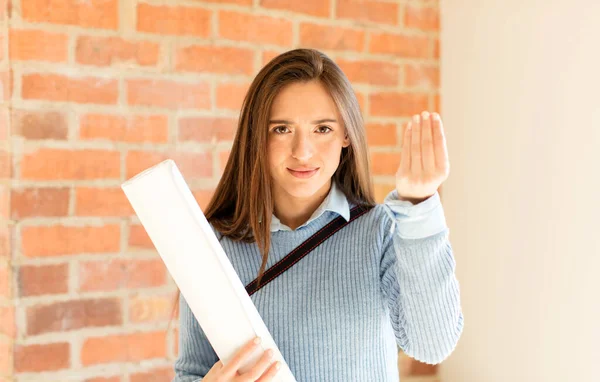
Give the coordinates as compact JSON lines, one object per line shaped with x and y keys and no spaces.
{"x":57,"y":87}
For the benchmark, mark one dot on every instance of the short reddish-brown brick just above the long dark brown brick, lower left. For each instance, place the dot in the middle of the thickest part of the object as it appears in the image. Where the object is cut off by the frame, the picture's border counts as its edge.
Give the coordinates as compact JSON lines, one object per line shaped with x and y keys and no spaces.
{"x":39,"y":280}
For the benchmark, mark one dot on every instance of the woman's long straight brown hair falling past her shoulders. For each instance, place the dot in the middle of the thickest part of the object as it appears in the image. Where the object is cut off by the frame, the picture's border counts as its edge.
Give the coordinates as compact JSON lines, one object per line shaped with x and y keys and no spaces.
{"x":243,"y":195}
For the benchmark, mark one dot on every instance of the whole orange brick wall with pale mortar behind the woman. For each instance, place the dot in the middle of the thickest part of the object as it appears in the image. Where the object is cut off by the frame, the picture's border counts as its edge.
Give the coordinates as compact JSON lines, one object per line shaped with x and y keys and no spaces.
{"x":95,"y":91}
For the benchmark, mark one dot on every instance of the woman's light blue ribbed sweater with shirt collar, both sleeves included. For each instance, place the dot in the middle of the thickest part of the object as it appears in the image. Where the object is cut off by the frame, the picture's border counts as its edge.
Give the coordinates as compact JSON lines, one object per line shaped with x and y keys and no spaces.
{"x":385,"y":281}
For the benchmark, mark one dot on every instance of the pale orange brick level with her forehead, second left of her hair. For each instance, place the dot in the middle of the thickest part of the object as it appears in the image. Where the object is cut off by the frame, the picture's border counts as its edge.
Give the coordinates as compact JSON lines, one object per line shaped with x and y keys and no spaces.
{"x":168,"y":94}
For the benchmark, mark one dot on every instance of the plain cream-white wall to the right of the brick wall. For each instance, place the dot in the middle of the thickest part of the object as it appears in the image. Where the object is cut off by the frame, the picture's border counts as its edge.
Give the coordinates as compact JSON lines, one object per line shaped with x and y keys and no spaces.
{"x":521,"y":106}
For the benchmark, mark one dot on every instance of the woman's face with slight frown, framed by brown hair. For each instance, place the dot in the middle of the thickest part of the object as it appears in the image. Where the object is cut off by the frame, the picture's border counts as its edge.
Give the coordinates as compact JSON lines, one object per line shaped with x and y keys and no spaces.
{"x":305,"y":140}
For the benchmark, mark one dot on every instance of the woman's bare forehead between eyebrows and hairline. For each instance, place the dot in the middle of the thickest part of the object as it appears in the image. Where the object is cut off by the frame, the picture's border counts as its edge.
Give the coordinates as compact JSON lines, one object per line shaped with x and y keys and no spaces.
{"x":303,"y":101}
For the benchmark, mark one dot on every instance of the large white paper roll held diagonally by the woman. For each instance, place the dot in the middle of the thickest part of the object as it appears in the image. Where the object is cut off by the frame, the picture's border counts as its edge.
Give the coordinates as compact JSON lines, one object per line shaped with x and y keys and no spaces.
{"x":198,"y":264}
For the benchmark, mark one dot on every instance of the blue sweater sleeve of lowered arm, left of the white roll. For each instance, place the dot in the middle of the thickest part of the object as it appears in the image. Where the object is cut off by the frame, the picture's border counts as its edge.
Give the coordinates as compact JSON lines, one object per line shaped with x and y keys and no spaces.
{"x":196,"y":356}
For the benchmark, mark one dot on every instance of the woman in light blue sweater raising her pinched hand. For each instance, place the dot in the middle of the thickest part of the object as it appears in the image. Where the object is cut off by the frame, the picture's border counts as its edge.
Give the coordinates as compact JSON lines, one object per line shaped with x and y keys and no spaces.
{"x":384,"y":281}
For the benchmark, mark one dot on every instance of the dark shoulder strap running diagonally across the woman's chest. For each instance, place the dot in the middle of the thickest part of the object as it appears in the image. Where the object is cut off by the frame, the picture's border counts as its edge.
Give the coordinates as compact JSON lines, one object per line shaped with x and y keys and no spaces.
{"x":304,"y":248}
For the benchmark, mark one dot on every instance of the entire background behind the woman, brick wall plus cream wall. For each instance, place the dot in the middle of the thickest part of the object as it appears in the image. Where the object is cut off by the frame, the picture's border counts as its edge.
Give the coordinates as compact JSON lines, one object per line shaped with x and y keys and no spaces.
{"x":95,"y":91}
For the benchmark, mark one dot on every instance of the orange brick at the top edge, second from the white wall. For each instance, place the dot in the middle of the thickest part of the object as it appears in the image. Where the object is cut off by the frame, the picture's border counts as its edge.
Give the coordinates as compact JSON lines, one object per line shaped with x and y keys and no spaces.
{"x":372,"y":11}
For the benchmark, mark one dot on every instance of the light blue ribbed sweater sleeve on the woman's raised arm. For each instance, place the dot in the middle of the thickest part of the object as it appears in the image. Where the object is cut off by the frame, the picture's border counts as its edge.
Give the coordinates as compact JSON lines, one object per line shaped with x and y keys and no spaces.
{"x":418,"y":279}
